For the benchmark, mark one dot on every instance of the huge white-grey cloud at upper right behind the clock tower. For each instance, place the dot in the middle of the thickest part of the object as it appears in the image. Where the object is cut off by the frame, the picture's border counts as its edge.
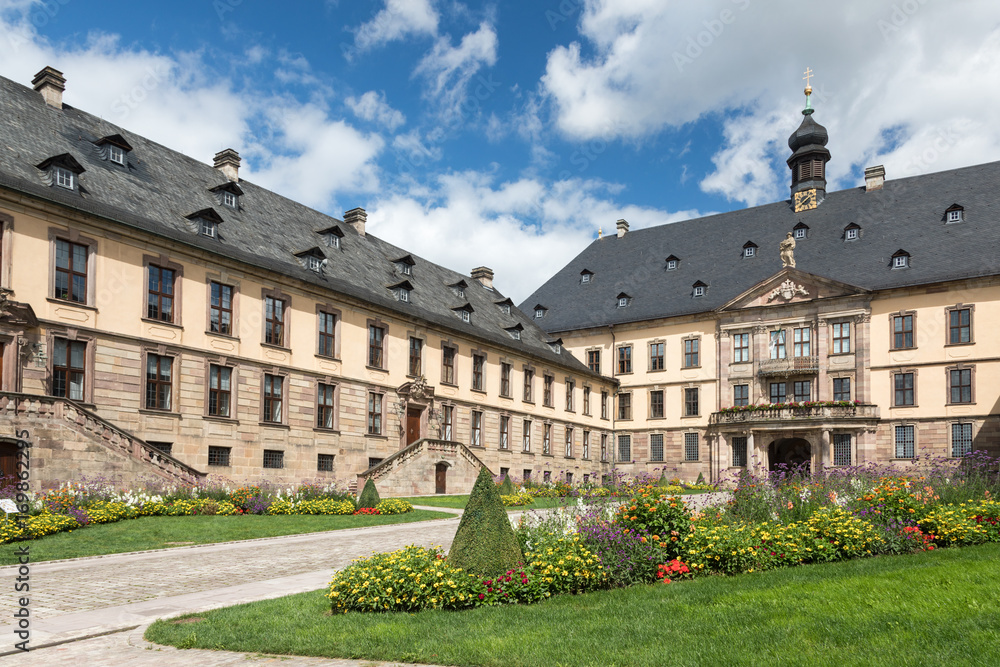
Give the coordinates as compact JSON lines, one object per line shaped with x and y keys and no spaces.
{"x":914,"y":71}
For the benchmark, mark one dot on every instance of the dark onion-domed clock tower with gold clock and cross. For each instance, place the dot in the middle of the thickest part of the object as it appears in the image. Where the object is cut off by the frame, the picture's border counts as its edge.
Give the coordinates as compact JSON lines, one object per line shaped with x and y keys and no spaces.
{"x":809,"y":158}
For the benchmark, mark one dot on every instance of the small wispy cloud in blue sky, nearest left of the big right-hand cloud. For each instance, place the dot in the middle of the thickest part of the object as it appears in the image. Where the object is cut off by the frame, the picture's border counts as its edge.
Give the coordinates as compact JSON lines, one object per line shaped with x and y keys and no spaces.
{"x":449,"y":69}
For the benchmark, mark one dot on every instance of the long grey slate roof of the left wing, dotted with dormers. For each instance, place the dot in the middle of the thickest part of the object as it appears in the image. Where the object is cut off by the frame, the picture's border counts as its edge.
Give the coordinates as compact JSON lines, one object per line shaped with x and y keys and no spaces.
{"x":159,"y":188}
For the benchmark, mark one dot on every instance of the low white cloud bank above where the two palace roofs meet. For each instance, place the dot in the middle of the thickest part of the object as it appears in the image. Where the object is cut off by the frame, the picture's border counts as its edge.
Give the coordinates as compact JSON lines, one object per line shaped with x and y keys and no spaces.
{"x":467,"y":220}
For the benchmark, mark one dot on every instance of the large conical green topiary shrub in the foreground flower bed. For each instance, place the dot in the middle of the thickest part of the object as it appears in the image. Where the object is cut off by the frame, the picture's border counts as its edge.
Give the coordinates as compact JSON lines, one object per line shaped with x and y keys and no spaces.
{"x":485,"y":543}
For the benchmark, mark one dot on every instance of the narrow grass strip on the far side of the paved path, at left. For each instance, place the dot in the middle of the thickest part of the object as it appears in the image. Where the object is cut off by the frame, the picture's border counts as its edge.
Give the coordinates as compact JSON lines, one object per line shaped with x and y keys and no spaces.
{"x":163,"y":532}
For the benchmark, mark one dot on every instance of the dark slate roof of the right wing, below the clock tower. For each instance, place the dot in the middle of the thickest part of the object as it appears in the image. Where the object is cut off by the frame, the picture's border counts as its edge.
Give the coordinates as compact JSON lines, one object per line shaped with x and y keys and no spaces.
{"x":907,"y":214}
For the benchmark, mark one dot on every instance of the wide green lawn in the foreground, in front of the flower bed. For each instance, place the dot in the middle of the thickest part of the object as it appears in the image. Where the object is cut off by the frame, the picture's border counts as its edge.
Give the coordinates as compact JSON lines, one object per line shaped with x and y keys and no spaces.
{"x":934,"y":608}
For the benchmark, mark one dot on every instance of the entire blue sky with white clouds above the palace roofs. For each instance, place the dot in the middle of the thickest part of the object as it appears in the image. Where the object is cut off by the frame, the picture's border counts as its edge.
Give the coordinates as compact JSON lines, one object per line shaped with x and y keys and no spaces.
{"x":506,"y":134}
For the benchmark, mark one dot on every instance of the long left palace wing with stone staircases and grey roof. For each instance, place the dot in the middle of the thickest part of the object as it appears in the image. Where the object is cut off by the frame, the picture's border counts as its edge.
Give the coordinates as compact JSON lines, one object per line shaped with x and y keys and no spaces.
{"x":162,"y":316}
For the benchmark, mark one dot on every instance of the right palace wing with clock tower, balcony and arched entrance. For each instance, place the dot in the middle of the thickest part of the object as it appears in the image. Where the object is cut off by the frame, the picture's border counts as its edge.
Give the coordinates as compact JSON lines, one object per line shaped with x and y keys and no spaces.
{"x":832,"y":329}
